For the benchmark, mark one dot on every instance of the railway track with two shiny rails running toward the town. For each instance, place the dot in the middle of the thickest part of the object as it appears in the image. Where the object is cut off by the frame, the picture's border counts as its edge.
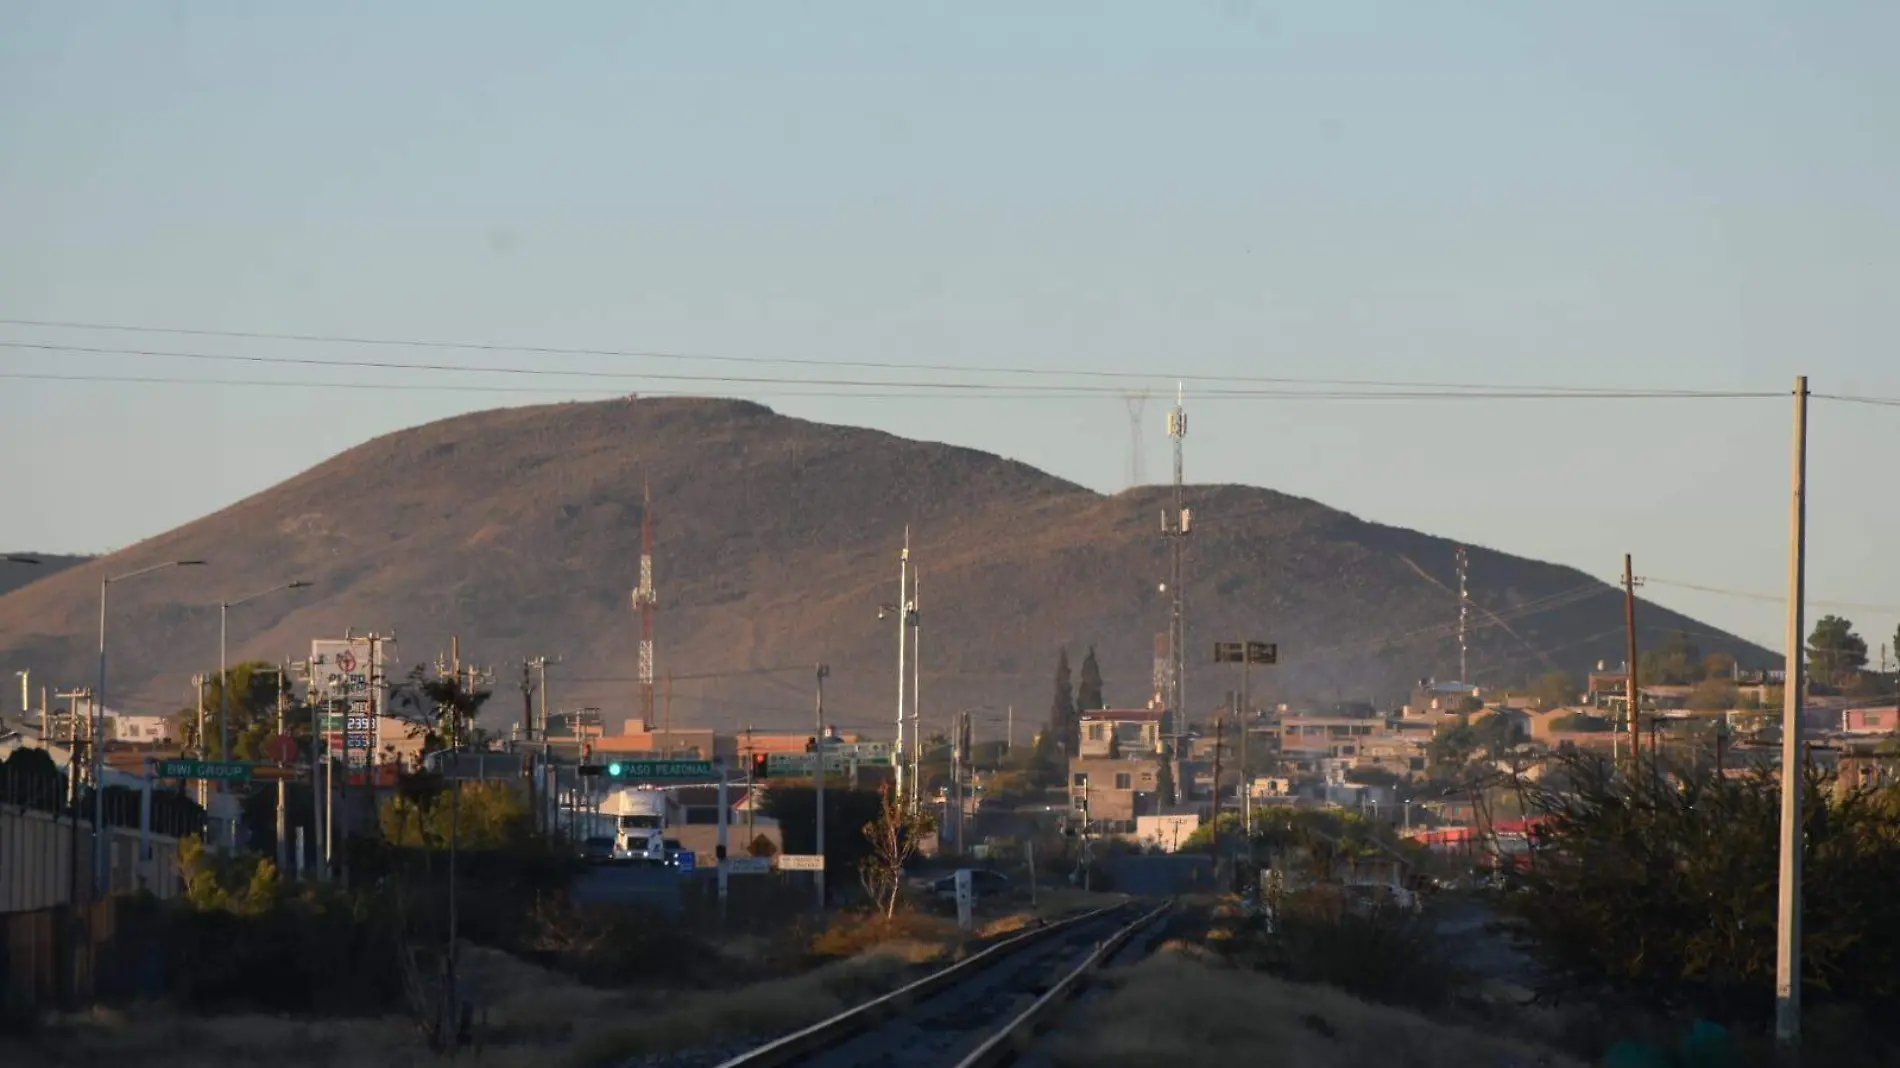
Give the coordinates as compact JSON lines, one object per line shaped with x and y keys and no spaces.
{"x":976,"y":1014}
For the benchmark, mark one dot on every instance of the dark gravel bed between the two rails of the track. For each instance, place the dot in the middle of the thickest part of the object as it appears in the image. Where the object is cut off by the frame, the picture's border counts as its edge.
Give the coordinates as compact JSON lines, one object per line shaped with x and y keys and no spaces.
{"x":947,"y":1025}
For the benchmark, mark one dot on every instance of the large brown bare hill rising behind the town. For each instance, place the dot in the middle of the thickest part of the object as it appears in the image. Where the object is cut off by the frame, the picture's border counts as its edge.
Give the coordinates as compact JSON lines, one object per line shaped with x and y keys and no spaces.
{"x":520,"y":533}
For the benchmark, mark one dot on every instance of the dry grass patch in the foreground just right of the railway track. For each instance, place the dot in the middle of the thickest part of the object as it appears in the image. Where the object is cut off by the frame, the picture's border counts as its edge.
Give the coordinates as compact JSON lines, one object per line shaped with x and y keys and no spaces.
{"x":1181,"y":1008}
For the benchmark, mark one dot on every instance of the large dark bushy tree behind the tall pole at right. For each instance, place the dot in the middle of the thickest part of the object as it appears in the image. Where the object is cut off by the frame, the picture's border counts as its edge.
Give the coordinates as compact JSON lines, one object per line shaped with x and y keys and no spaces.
{"x":1662,"y":887}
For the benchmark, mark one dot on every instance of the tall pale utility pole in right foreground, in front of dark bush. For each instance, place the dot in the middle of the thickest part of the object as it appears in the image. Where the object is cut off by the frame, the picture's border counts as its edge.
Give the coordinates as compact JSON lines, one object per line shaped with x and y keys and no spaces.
{"x":1793,"y":780}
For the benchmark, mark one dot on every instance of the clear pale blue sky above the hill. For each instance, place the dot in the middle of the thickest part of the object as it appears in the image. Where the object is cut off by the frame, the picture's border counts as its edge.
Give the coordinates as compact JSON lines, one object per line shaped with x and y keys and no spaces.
{"x":993,"y":206}
